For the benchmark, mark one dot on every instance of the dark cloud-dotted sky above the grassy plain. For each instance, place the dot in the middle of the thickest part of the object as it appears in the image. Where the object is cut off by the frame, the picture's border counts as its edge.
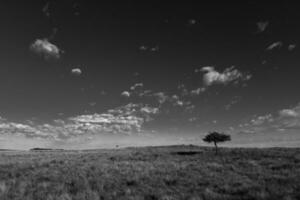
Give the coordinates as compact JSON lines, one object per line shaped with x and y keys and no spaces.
{"x":83,"y":74}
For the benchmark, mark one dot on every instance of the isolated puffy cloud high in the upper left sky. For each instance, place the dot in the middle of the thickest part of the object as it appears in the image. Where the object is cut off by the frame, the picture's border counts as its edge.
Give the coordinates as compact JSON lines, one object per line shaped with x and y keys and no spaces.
{"x":44,"y":48}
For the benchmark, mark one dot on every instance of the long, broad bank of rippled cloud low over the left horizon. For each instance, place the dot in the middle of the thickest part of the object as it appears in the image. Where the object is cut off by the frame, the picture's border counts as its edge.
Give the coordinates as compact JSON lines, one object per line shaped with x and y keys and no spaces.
{"x":127,"y":119}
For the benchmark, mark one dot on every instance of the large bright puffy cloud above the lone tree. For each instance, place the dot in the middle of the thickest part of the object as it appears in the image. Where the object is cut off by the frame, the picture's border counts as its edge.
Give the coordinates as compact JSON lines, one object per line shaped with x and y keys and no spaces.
{"x":211,"y":76}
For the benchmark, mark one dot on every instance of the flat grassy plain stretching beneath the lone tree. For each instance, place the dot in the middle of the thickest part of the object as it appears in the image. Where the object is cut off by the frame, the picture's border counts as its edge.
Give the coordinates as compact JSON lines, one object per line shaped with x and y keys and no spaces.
{"x":167,"y":173}
